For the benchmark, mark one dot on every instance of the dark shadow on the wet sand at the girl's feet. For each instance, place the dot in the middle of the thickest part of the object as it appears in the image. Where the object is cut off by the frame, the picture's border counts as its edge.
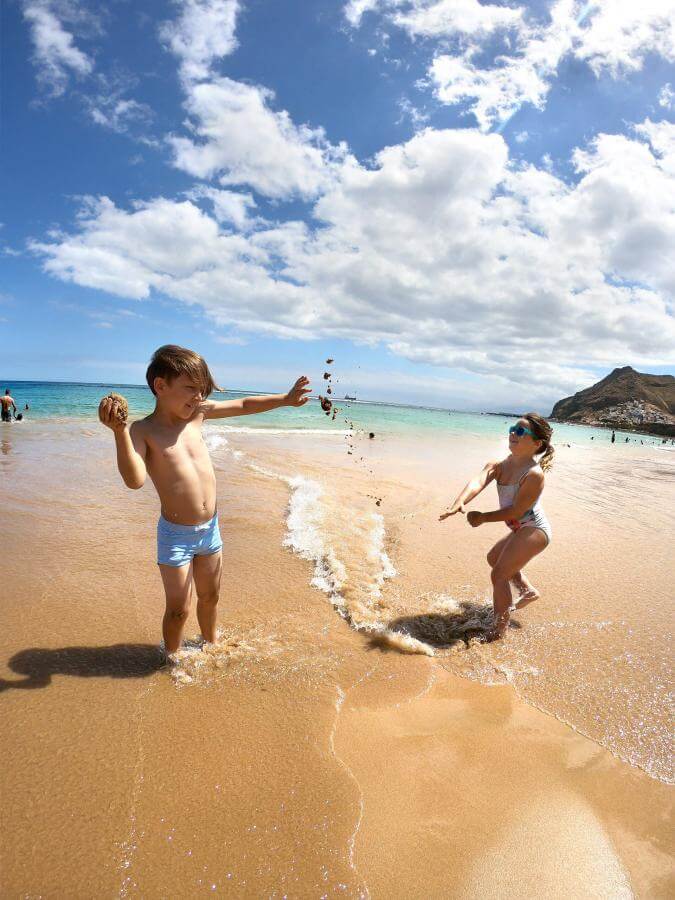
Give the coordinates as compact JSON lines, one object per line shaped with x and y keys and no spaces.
{"x":444,"y":630}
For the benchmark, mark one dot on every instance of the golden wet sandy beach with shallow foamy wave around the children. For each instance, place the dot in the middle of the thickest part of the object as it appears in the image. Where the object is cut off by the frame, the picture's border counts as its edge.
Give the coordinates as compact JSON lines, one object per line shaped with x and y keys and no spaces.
{"x":349,"y":735}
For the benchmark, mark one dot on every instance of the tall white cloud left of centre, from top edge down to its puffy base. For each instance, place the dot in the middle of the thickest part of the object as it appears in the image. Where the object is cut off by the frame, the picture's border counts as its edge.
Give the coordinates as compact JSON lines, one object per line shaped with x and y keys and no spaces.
{"x":234,"y":134}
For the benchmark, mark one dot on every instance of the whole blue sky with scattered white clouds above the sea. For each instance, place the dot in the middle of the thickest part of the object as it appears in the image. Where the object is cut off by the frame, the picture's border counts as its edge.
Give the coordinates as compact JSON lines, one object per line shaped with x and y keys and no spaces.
{"x":465,"y":204}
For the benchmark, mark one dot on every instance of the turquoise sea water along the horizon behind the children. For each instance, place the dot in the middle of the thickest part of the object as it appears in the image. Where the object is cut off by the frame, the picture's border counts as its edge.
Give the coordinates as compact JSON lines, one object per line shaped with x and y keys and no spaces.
{"x":56,"y":400}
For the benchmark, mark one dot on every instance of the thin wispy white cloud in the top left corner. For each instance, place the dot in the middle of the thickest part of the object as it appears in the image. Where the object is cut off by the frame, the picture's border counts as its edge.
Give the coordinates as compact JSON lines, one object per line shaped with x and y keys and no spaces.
{"x":54,"y":51}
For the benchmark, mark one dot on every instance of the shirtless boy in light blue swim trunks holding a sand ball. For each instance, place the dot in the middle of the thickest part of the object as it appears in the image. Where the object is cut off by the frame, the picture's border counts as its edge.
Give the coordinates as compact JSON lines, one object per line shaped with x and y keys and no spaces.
{"x":168,"y":446}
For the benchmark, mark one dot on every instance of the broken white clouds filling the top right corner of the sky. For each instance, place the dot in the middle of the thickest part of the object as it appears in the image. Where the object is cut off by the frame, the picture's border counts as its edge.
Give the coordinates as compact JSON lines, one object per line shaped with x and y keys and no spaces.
{"x":506,"y":57}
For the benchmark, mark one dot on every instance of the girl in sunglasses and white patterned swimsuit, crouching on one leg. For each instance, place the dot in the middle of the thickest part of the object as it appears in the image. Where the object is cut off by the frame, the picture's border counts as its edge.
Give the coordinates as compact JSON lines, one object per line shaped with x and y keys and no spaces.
{"x":520,"y":481}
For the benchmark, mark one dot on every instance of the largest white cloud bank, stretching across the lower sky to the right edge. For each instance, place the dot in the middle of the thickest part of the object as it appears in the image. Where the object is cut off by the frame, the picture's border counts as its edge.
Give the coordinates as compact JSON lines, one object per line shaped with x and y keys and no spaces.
{"x":443,"y":249}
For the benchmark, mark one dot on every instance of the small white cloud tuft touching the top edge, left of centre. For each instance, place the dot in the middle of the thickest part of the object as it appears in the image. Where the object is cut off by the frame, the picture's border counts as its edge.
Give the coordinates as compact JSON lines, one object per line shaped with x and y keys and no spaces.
{"x":203,"y":32}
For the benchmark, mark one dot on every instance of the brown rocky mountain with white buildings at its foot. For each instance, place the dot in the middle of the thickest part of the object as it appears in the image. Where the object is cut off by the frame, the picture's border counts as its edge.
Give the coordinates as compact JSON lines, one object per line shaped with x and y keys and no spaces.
{"x":625,"y":399}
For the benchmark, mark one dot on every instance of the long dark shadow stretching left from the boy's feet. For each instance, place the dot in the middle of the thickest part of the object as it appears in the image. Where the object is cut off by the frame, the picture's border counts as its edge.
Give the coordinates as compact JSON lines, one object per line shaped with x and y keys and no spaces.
{"x":39,"y":665}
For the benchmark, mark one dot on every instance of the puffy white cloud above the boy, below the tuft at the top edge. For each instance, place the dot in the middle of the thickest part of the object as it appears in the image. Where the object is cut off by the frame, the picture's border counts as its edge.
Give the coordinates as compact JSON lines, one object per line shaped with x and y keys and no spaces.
{"x":241,"y":140}
